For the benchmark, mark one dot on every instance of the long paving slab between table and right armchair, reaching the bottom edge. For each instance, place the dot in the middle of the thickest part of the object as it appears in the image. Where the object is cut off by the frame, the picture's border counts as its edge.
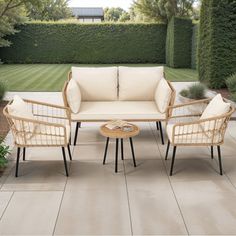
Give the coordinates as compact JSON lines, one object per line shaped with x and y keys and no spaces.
{"x":154,"y":210}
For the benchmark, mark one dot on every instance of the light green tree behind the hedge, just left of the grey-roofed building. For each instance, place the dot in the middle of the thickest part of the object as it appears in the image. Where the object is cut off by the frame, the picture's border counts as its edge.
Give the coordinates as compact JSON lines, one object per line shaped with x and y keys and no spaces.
{"x":49,"y":10}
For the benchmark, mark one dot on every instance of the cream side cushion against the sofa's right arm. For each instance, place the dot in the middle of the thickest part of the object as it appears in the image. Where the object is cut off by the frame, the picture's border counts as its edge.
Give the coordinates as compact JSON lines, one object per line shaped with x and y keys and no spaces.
{"x":163,"y":95}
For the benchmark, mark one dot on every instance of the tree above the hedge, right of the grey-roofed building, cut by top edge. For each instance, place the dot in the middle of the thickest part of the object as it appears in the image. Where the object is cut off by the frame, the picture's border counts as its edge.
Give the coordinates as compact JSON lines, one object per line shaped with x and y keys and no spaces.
{"x":163,"y":10}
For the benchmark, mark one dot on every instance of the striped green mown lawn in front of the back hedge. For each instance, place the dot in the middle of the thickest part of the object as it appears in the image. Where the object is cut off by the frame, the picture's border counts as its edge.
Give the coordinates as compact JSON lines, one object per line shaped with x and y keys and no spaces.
{"x":50,"y":77}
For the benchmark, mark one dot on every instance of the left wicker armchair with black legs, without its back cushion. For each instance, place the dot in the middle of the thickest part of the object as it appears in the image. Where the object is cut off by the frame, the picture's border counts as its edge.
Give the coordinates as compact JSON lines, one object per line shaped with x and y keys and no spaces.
{"x":50,"y":127}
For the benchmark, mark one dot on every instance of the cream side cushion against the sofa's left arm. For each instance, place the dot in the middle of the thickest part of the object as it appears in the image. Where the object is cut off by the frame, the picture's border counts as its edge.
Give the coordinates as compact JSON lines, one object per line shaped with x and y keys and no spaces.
{"x":73,"y":96}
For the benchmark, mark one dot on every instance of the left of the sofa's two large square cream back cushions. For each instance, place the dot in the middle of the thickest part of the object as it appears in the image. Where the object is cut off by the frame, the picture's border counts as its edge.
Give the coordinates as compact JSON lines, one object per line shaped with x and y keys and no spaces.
{"x":96,"y":84}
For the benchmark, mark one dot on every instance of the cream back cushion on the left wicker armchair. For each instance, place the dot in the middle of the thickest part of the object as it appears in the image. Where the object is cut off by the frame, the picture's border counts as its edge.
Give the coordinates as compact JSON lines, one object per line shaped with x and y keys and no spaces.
{"x":20,"y":109}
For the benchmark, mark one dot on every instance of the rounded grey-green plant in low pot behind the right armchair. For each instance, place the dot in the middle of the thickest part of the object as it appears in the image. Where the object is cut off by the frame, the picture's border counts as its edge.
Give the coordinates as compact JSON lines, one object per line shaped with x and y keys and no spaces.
{"x":193,"y":92}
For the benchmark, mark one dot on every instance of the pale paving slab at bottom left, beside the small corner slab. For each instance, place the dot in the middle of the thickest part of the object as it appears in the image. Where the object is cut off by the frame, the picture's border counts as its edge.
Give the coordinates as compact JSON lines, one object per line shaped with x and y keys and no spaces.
{"x":31,"y":213}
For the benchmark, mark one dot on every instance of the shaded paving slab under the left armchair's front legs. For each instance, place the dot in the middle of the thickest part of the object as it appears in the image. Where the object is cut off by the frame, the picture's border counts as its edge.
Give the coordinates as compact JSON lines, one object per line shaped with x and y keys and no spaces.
{"x":37,"y":175}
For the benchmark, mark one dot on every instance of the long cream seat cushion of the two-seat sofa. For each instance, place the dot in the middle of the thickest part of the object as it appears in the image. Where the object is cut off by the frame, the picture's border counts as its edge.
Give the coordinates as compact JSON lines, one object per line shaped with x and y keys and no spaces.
{"x":126,"y":110}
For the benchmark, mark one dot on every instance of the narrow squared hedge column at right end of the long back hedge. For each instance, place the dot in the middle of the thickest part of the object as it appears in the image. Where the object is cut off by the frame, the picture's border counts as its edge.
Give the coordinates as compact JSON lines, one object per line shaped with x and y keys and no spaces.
{"x":178,"y":42}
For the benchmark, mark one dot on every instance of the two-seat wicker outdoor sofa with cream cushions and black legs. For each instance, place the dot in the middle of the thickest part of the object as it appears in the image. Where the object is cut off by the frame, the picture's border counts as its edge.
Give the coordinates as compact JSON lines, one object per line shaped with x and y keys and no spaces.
{"x":126,"y":93}
